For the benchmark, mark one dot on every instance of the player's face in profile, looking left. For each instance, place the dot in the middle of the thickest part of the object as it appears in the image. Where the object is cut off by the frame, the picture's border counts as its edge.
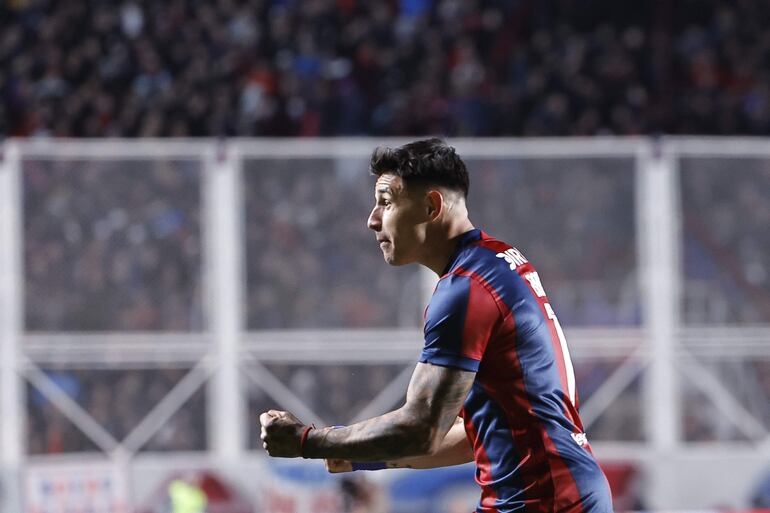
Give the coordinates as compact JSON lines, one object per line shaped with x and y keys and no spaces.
{"x":398,"y":220}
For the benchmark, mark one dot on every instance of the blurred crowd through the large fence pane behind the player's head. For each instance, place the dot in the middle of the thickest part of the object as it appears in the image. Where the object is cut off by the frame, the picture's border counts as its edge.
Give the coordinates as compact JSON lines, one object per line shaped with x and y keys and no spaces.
{"x":318,"y":266}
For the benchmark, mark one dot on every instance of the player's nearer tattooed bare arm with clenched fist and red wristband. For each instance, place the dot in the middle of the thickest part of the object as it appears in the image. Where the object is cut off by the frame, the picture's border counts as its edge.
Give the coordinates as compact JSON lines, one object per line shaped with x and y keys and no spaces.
{"x":434,"y":399}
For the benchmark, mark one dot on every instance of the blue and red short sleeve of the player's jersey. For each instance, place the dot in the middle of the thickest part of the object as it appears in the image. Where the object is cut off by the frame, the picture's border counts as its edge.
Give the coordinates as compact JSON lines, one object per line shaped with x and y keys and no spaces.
{"x":459,"y":322}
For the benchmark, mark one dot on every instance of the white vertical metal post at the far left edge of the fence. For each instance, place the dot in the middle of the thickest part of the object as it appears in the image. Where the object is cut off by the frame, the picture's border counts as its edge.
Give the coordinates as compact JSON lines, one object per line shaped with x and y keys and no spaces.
{"x":11,"y":314}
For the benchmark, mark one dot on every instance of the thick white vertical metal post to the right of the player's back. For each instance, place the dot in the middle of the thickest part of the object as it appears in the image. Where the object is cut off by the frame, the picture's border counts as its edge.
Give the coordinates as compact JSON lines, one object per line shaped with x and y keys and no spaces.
{"x":659,"y":272}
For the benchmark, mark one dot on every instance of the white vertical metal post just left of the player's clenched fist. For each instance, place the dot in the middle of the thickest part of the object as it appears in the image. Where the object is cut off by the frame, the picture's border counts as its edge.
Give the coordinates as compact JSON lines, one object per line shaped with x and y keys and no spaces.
{"x":225,"y":281}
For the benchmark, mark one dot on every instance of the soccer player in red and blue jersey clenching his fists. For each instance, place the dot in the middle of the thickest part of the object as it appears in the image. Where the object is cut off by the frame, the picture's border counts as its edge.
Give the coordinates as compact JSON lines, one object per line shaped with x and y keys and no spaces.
{"x":494,"y":382}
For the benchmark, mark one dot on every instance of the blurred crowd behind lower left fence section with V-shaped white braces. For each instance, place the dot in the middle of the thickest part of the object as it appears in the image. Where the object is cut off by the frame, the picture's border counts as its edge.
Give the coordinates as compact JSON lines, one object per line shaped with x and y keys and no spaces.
{"x":50,"y":432}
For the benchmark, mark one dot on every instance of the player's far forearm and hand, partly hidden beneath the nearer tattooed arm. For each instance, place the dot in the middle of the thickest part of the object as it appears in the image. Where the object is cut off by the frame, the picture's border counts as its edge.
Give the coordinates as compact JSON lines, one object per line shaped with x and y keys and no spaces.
{"x":454,"y":450}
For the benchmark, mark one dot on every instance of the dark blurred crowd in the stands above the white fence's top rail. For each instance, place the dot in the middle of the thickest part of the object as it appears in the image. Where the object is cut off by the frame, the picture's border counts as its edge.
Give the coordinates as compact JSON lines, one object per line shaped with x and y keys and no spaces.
{"x":342,"y":67}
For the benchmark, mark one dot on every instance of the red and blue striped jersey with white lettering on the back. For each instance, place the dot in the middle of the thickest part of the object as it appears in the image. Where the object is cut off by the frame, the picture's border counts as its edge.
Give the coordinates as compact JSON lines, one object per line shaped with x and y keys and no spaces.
{"x":489,"y":314}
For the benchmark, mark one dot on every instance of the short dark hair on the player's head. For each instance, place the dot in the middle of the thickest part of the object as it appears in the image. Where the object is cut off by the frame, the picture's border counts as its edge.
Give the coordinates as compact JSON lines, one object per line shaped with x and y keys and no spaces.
{"x":430,"y":161}
